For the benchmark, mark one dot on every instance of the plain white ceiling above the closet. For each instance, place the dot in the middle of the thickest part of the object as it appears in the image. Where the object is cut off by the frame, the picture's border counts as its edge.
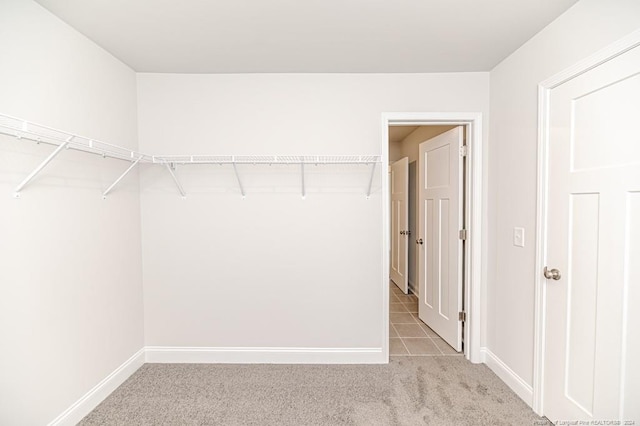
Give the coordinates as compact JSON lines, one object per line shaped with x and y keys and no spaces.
{"x":218,"y":36}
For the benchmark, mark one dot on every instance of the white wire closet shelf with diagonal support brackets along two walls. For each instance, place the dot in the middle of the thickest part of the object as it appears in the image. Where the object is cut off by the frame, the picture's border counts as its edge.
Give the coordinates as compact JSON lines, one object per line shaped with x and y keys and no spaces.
{"x":27,"y":130}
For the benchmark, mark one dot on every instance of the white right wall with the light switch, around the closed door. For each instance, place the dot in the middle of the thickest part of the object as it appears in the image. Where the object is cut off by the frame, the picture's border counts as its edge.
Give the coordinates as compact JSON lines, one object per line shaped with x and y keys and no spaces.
{"x":585,"y":28}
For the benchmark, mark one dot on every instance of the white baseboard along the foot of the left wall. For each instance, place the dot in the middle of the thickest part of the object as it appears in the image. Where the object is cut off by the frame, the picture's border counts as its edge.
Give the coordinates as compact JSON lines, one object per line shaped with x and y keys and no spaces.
{"x":95,"y":396}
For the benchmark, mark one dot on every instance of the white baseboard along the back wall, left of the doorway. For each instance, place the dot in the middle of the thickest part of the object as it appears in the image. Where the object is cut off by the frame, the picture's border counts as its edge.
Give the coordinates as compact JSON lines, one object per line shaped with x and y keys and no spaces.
{"x":206,"y":355}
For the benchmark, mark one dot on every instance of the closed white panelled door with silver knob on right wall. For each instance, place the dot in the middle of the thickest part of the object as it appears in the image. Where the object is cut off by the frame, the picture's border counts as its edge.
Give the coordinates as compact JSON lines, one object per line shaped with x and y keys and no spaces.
{"x":592,"y":331}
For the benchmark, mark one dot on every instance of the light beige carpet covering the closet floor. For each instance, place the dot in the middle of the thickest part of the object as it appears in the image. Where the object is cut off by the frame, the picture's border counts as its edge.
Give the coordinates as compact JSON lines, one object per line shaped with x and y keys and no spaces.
{"x":407,"y":391}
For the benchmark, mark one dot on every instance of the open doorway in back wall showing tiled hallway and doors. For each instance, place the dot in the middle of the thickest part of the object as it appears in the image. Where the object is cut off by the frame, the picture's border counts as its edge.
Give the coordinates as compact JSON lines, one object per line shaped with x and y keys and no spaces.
{"x":429,"y":273}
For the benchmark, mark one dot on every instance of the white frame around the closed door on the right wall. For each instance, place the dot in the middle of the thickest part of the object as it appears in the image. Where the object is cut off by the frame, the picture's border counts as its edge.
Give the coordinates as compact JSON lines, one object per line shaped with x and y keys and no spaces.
{"x":544,"y":95}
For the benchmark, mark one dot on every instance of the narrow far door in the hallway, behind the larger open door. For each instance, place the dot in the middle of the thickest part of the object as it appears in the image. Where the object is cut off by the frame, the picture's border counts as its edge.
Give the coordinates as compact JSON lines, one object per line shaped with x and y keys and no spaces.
{"x":400,"y":223}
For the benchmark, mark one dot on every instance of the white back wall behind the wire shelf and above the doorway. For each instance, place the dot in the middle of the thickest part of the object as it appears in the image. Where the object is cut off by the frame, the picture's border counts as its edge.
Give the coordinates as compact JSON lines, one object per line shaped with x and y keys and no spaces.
{"x":272,"y":270}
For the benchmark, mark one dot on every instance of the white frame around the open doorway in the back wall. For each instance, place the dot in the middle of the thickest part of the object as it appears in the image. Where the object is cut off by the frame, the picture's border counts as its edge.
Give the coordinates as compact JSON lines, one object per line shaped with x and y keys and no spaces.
{"x":475,"y":266}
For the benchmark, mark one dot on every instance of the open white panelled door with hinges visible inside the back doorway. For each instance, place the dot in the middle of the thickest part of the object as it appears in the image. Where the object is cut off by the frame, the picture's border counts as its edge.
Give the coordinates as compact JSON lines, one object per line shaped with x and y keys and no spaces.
{"x":439,"y":221}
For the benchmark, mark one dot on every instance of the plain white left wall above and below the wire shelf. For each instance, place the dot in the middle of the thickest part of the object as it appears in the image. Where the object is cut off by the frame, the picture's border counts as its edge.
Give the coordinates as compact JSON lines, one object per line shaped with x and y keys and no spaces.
{"x":70,"y":263}
